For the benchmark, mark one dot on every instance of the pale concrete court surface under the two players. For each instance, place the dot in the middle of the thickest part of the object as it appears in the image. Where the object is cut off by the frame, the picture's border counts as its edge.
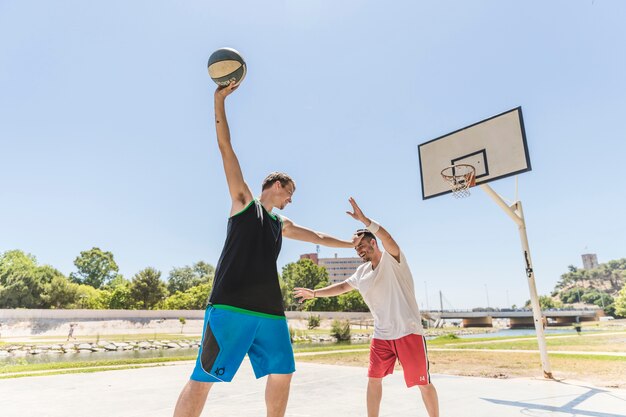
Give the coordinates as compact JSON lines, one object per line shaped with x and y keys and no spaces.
{"x":317,"y":391}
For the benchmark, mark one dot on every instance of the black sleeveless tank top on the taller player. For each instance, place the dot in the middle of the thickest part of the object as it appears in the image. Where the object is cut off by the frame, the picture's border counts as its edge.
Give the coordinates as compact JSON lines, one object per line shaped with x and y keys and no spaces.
{"x":246,"y":275}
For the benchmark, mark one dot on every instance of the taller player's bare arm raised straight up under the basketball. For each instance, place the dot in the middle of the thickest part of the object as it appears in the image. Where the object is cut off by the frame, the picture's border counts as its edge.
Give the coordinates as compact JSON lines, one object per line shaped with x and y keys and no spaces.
{"x":239,"y":191}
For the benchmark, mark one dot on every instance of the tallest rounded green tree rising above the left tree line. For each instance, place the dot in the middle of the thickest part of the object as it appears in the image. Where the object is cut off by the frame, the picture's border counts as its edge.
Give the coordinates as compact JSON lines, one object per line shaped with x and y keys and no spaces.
{"x":95,"y":267}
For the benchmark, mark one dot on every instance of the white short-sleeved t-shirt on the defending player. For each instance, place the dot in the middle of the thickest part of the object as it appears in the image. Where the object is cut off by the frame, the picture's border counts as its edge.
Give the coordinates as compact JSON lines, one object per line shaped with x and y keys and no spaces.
{"x":389,"y":292}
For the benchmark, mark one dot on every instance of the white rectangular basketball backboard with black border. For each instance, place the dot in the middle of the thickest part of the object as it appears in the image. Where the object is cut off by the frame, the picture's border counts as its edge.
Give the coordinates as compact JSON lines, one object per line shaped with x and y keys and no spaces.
{"x":496,"y":147}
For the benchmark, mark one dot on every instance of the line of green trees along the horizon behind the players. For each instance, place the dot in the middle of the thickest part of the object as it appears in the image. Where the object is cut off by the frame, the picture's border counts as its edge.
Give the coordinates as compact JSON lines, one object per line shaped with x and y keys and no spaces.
{"x":97,"y":284}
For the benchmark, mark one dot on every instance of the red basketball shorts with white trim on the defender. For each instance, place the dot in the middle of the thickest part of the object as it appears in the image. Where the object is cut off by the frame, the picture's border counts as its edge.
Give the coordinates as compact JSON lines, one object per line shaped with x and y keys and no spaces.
{"x":409,"y":350}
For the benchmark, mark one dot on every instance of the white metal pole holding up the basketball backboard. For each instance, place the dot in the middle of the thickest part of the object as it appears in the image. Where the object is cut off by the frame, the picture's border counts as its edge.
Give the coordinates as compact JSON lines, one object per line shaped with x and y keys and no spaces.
{"x":517,"y":214}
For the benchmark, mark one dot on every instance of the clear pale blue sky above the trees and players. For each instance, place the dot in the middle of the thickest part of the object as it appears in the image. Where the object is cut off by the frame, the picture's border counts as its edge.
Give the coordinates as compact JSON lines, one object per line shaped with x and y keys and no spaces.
{"x":107,"y":137}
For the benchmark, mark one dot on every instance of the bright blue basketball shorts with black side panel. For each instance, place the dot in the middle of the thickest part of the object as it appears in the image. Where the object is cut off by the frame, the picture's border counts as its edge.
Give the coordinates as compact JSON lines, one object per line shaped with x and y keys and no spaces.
{"x":230,"y":333}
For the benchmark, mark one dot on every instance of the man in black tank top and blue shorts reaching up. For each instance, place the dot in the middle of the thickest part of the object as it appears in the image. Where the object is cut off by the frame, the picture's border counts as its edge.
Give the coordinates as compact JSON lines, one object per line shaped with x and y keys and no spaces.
{"x":245,"y":313}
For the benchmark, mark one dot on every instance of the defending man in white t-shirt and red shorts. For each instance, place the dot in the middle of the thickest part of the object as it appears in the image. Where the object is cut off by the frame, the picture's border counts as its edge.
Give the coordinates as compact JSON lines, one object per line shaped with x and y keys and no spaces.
{"x":386,"y":284}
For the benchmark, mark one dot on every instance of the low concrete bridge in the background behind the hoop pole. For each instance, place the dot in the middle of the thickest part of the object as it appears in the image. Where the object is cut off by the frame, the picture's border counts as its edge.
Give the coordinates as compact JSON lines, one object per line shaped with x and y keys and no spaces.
{"x":517,"y":318}
